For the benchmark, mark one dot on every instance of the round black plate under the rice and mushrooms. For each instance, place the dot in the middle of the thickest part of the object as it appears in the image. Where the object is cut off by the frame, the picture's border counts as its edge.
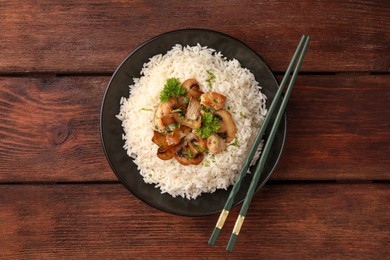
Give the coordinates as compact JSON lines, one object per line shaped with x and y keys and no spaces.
{"x":111,"y":130}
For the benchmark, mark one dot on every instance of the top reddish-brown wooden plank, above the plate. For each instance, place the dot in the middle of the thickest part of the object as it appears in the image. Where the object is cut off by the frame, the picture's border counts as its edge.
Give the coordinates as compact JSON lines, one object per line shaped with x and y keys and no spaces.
{"x":94,"y":36}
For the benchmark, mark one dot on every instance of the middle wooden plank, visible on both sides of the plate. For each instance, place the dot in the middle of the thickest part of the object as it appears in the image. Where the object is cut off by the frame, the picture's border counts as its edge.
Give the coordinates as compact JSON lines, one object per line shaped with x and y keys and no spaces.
{"x":338,"y":129}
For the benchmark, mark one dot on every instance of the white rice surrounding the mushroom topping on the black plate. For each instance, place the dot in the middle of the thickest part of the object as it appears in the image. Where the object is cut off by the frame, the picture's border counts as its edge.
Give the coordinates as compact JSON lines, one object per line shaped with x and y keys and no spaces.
{"x":244,"y":101}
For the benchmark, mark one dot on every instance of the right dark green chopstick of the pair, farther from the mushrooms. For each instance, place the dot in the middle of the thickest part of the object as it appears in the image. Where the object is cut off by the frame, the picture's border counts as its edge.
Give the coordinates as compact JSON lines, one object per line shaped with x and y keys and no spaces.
{"x":267,"y":147}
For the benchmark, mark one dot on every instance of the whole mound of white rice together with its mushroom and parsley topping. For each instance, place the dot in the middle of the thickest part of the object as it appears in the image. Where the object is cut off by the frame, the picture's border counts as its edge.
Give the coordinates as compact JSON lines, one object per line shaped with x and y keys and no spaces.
{"x":190,"y":120}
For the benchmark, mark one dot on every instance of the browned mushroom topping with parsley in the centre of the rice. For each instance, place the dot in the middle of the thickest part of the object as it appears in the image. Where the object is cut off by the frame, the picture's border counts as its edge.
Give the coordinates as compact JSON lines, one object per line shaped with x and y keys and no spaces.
{"x":187,"y":129}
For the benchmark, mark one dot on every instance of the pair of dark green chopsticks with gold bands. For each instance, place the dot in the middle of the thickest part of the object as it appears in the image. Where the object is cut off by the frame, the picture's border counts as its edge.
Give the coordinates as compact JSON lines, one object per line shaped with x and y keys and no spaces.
{"x":303,"y":44}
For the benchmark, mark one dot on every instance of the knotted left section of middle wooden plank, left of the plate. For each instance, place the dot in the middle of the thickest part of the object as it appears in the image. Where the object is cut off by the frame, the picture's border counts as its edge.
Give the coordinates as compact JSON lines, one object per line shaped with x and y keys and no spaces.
{"x":49,"y":129}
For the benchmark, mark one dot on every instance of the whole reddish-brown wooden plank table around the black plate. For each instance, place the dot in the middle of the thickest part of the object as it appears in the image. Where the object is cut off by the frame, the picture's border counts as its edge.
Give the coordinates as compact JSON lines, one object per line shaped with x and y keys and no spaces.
{"x":328,"y":198}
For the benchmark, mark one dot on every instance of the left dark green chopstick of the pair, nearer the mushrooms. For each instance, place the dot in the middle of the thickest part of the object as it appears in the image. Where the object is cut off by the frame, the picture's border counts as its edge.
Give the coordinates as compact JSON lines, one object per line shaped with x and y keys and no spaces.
{"x":259,"y":136}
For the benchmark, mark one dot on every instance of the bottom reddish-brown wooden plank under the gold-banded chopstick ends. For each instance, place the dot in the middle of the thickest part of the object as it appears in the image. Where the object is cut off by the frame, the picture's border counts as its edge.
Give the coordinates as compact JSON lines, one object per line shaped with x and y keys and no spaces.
{"x":284,"y":221}
